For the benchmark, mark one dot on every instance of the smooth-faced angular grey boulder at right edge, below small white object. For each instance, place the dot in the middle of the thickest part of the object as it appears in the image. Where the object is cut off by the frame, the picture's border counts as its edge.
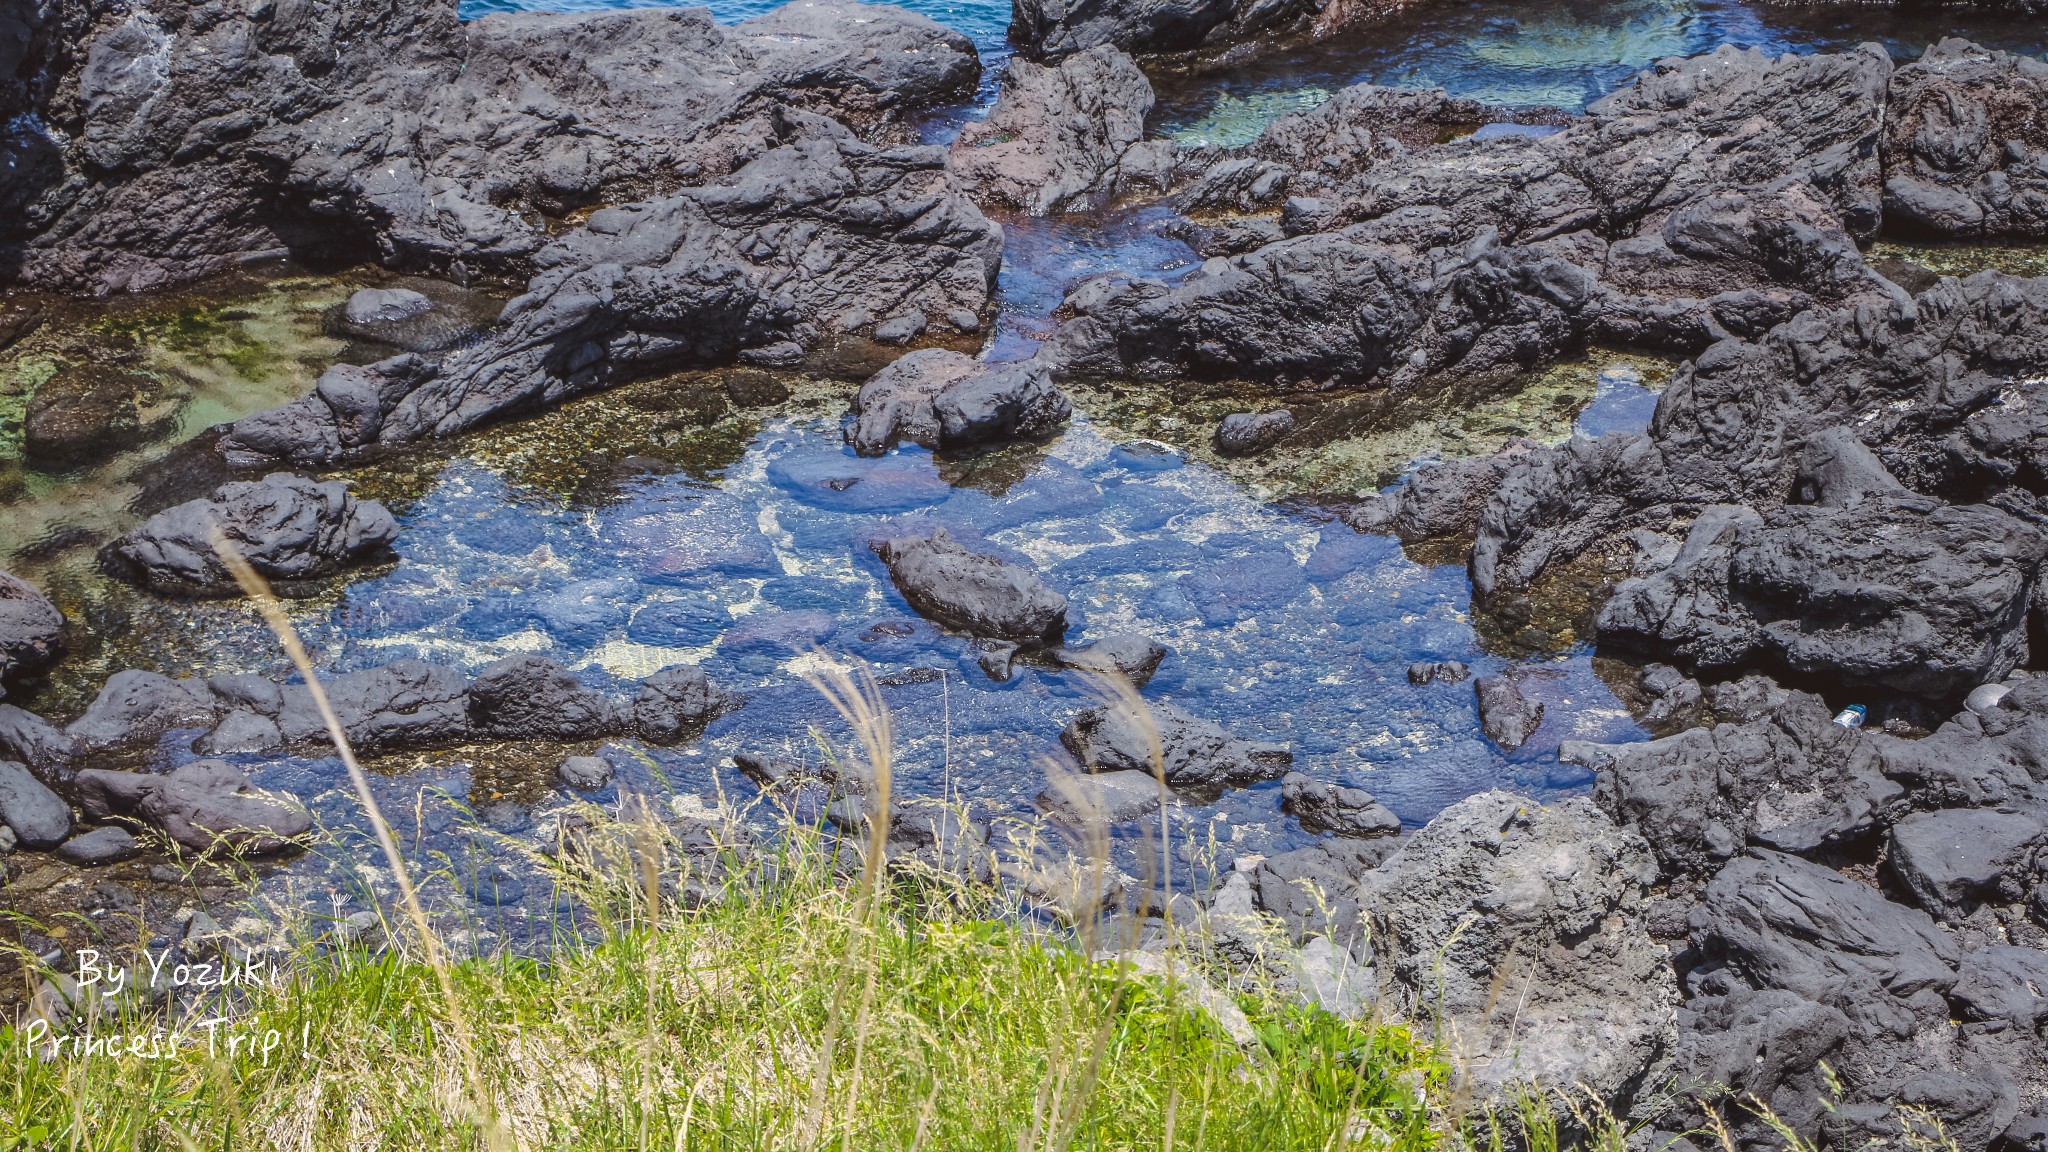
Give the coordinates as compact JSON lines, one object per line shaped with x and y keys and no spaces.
{"x":1961,"y":858}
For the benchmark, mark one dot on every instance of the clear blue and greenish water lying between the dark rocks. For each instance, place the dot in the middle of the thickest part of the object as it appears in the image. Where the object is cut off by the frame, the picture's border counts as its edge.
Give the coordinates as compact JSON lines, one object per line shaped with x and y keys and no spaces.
{"x":718,"y":518}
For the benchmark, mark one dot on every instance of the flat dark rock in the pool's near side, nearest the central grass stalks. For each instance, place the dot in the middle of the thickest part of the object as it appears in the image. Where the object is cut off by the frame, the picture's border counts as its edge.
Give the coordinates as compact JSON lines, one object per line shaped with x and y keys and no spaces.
{"x":1191,"y":751}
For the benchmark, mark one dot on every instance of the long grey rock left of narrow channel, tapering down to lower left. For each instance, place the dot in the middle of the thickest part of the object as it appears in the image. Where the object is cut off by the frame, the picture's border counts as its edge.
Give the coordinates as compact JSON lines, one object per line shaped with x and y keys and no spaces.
{"x":814,"y":239}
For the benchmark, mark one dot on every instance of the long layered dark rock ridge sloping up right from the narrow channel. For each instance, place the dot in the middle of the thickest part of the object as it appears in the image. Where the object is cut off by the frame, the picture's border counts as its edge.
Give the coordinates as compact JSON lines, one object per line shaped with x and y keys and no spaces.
{"x":1721,"y":194}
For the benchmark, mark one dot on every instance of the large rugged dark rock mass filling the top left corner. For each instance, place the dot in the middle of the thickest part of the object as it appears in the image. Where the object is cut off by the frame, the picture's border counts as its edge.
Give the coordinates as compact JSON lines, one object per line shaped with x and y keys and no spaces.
{"x":159,"y":145}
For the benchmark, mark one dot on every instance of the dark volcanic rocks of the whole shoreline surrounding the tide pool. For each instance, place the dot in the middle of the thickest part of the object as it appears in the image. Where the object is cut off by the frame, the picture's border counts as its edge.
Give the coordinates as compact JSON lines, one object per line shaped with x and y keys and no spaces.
{"x":1838,"y":501}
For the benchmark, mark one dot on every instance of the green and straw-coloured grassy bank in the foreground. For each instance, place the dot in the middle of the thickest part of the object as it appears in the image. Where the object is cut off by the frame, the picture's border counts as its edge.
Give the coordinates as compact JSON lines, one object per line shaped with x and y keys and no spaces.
{"x":798,"y":1012}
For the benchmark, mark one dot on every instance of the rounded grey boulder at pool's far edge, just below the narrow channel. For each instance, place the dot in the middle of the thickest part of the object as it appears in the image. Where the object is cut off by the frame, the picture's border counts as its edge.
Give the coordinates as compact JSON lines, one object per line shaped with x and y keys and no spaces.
{"x":941,"y":399}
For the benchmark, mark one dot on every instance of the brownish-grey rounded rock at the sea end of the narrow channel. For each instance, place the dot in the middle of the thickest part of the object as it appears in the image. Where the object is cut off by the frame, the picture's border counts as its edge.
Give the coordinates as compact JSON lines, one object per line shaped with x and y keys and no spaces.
{"x":1056,"y":136}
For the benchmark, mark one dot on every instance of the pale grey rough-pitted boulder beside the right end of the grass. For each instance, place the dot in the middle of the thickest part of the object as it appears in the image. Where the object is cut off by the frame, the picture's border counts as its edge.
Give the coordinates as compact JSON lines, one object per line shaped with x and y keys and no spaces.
{"x":1521,"y":930}
